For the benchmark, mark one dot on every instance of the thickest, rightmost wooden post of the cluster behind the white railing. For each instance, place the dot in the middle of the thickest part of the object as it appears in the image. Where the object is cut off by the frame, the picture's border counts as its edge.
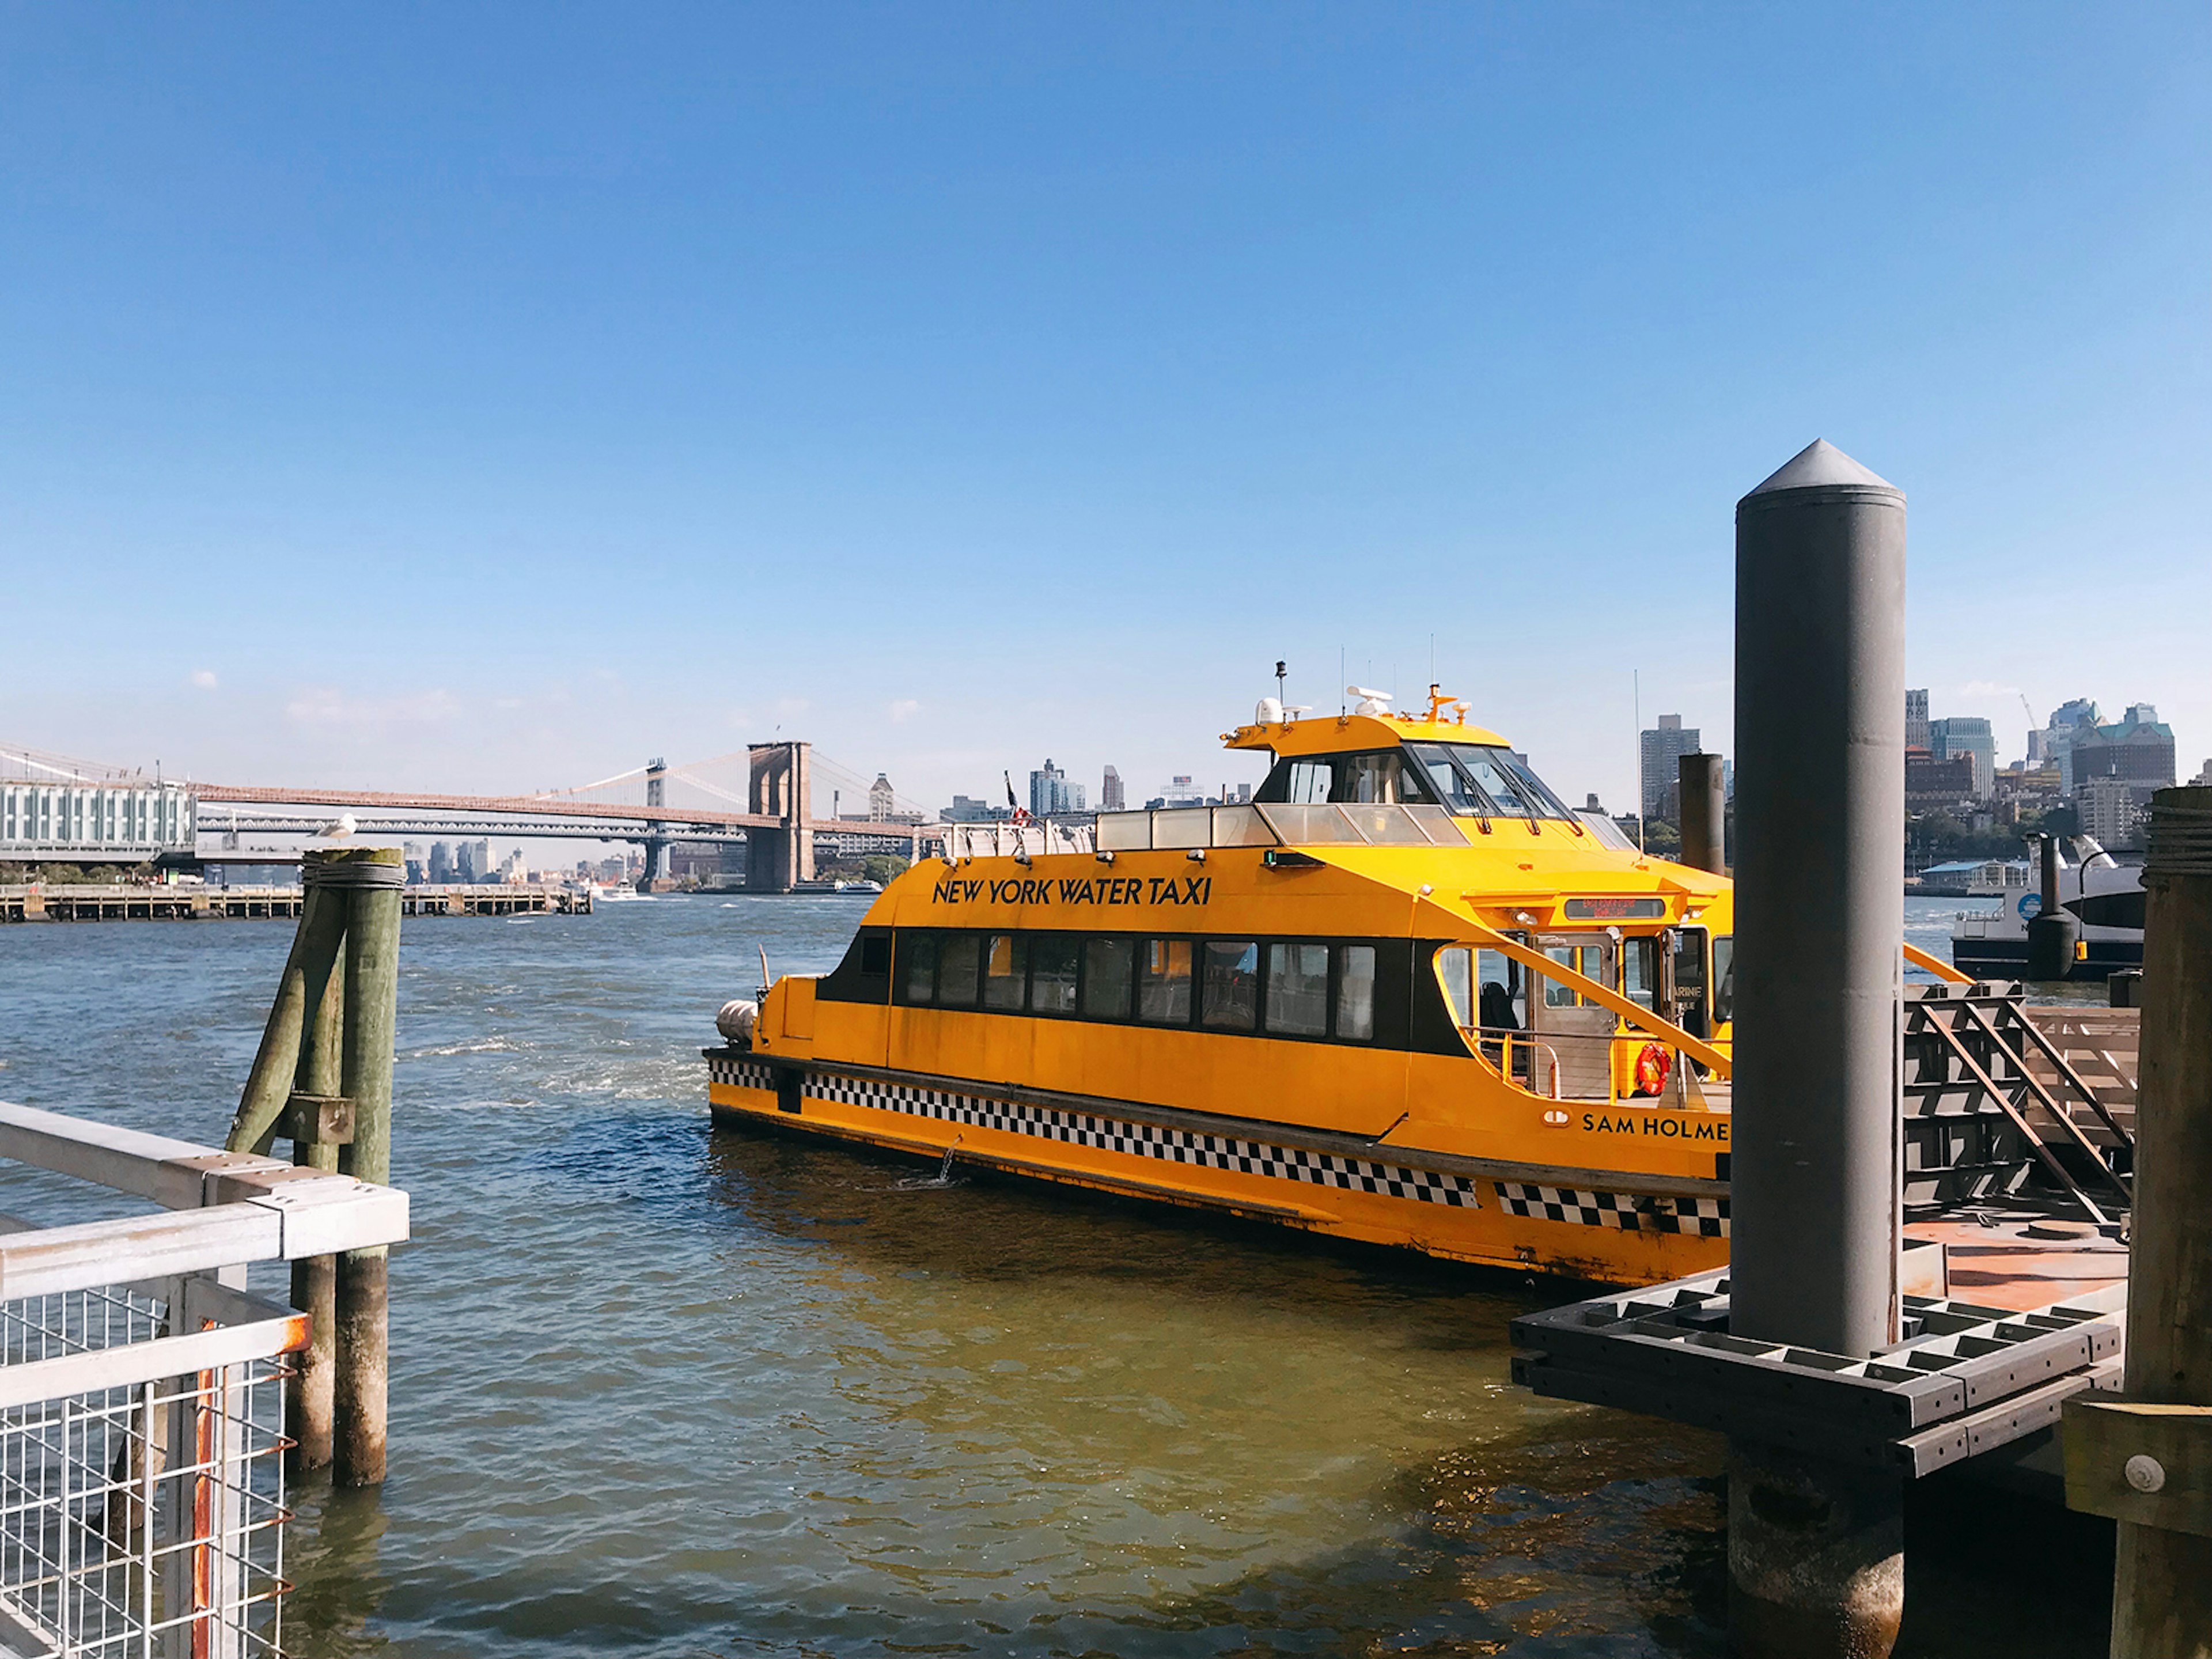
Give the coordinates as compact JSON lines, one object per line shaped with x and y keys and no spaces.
{"x":373,"y":879}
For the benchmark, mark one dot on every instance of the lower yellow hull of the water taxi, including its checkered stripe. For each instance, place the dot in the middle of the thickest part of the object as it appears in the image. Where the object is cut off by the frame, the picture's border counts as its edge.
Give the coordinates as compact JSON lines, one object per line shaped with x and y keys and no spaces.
{"x":1583,"y":1224}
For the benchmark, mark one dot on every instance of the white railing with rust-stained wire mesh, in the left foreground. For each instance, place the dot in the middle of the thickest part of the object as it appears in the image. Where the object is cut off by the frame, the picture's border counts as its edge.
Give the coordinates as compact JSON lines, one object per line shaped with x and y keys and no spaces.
{"x":140,"y":1392}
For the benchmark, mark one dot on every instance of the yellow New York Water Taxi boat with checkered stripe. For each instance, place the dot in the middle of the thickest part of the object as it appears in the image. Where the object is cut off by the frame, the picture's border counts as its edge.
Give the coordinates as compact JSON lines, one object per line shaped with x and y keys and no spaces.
{"x":1404,"y":997}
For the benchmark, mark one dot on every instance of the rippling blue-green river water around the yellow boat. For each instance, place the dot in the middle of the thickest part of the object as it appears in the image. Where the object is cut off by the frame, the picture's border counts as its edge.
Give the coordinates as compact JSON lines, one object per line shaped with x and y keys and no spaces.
{"x":662,"y":1390}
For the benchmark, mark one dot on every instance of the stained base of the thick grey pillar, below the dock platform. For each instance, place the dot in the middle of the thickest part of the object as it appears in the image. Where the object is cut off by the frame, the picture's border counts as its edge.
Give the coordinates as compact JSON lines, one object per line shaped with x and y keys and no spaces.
{"x":1815,"y":1556}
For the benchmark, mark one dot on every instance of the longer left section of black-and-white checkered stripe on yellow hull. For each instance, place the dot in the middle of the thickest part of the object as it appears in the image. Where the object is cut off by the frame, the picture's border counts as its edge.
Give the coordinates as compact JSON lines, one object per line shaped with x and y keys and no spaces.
{"x":1149,"y":1140}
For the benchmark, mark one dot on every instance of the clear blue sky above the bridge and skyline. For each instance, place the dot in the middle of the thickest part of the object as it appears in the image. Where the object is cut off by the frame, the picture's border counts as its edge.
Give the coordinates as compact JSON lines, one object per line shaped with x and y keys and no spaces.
{"x":490,"y":397}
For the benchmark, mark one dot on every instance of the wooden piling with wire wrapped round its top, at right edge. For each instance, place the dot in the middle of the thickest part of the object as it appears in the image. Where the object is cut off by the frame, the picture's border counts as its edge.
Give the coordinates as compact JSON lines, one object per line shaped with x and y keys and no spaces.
{"x":2162,"y":1587}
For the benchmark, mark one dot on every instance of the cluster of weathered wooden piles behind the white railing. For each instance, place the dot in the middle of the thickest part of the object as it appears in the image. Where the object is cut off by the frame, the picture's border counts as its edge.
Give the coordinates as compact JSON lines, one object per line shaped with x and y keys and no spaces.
{"x":324,"y":1083}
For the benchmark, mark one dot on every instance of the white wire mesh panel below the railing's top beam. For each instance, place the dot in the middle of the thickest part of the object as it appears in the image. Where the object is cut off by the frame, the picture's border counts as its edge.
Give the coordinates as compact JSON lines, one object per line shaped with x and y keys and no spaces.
{"x":140,"y":1514}
